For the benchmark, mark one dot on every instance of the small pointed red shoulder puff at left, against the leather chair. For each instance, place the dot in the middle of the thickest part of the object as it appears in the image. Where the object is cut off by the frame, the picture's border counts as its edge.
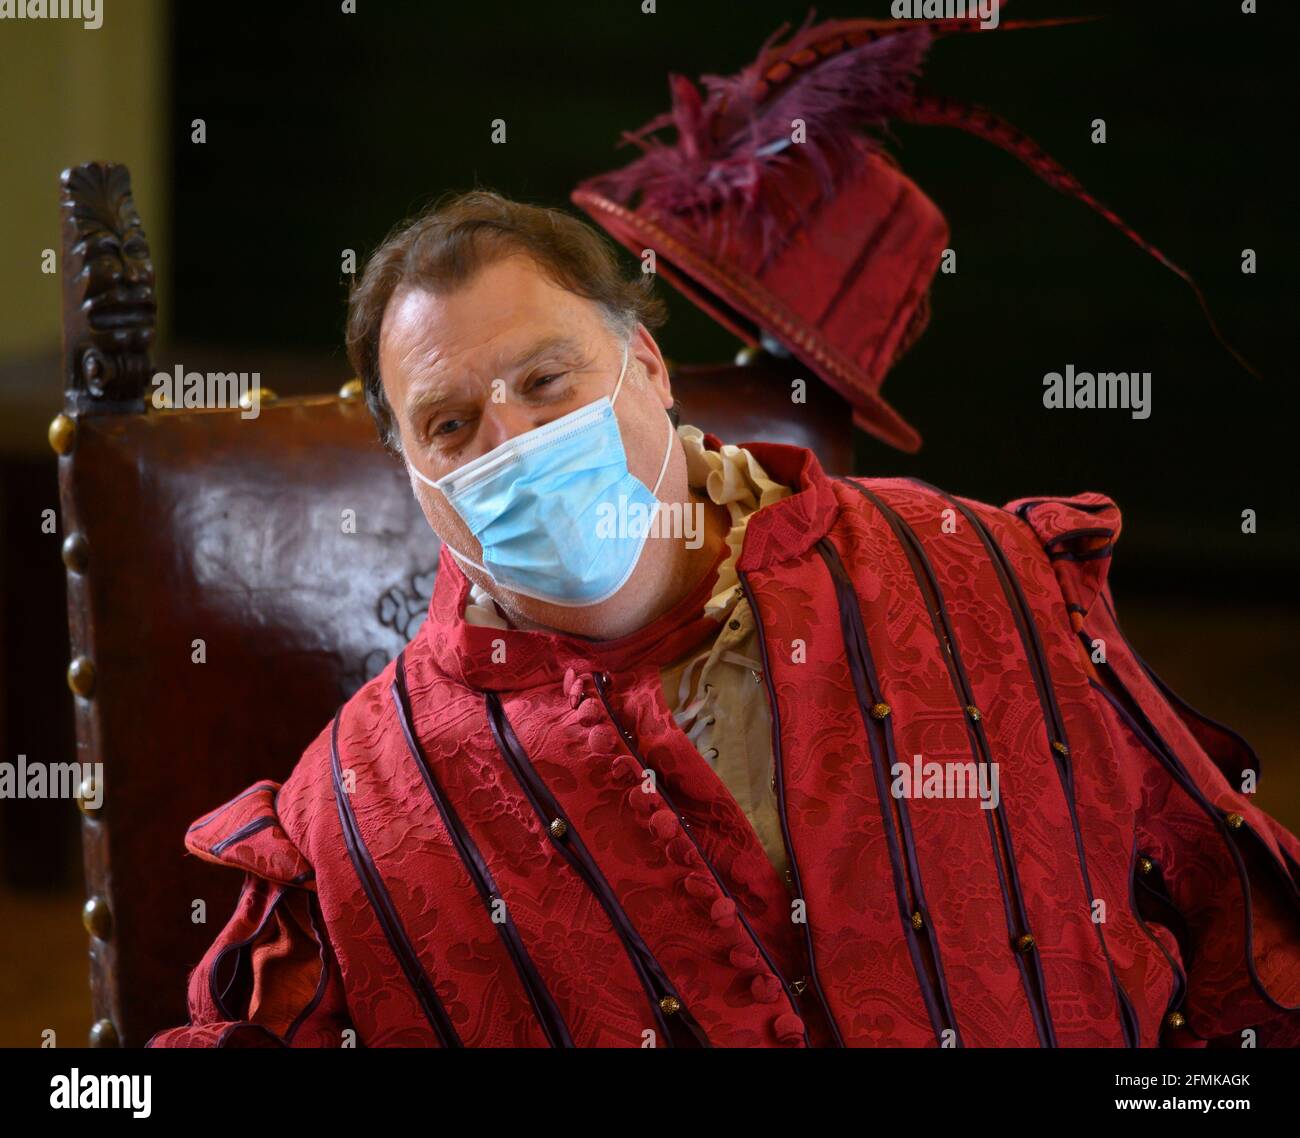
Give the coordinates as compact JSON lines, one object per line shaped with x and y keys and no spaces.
{"x":246,"y":833}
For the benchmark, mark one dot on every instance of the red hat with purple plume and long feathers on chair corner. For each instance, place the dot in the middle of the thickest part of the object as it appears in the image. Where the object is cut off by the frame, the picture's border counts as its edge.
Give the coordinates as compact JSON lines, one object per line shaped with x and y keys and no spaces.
{"x":778,"y":214}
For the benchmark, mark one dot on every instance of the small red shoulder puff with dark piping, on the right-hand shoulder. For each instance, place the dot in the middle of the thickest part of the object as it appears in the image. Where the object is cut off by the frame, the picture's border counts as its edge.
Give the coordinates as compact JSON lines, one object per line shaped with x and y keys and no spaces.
{"x":1078,"y":536}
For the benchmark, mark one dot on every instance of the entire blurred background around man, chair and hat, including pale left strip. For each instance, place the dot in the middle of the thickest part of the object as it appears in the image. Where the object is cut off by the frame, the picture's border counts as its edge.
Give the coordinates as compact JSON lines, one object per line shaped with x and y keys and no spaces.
{"x":324,"y":129}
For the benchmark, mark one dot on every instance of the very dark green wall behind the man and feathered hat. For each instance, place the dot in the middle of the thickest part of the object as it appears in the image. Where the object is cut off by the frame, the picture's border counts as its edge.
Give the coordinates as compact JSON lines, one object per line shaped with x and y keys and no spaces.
{"x":324,"y":129}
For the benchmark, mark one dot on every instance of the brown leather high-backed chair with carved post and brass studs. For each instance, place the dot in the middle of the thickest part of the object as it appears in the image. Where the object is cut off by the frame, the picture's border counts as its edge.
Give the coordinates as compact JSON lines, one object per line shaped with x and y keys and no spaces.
{"x":231,"y":582}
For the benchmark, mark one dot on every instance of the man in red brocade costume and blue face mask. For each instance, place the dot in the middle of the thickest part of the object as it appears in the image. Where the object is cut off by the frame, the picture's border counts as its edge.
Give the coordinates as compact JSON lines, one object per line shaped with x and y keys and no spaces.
{"x":638,"y":790}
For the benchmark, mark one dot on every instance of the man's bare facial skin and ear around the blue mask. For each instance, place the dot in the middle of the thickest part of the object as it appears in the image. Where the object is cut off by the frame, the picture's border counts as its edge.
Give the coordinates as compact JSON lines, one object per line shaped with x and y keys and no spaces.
{"x":508,"y":353}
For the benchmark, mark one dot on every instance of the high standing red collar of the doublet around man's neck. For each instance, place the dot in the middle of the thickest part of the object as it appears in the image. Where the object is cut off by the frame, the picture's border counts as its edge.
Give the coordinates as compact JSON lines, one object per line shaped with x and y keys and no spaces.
{"x":509,"y":659}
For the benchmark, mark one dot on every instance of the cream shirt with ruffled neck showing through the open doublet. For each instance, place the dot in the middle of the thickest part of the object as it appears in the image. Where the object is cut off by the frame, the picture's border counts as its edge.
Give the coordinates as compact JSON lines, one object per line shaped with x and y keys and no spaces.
{"x":717,"y":694}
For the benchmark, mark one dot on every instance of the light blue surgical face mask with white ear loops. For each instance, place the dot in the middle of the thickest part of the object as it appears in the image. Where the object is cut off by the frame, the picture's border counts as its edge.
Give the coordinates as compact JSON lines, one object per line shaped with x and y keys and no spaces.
{"x":557,"y":512}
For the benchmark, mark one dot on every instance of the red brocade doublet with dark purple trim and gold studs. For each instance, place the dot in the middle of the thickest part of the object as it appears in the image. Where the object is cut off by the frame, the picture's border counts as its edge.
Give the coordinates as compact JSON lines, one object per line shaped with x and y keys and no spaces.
{"x":505,"y":840}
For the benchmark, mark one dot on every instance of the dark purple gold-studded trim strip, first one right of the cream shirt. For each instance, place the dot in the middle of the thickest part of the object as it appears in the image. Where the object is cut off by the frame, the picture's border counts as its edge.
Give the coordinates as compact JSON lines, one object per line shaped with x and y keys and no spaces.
{"x":866,"y":690}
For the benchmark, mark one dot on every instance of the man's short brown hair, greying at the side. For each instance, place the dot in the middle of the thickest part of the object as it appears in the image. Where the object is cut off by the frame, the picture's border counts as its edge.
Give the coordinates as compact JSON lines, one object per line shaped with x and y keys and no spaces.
{"x":447,"y":245}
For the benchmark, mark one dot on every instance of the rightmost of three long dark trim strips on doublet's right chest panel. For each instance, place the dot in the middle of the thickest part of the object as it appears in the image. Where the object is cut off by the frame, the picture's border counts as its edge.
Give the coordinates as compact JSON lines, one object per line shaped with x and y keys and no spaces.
{"x":1054,"y":722}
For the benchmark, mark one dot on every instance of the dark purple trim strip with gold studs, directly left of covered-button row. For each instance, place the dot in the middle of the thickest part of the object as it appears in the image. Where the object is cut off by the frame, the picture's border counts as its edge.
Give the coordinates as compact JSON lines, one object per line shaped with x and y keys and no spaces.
{"x":575,"y":853}
